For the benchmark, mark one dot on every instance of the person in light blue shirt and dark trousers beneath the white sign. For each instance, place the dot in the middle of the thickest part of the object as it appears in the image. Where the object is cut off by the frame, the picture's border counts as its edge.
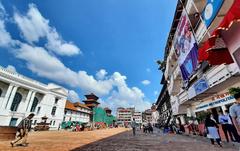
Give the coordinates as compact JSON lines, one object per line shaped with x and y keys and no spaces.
{"x":224,"y":120}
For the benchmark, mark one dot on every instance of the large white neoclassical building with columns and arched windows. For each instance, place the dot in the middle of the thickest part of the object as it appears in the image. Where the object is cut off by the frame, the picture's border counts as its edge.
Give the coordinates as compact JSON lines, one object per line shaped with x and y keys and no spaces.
{"x":20,"y":96}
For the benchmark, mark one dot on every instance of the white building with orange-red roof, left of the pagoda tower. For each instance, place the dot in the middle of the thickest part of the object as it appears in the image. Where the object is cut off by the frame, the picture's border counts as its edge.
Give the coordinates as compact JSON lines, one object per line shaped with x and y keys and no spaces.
{"x":77,"y":112}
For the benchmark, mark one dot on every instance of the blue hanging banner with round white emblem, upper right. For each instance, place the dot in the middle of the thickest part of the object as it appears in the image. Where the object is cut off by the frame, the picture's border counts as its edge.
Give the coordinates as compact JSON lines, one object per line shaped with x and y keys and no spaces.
{"x":211,"y":9}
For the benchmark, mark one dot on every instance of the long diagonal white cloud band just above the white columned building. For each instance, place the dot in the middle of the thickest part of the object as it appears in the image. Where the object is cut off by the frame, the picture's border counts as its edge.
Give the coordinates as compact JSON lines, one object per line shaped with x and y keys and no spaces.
{"x":52,"y":68}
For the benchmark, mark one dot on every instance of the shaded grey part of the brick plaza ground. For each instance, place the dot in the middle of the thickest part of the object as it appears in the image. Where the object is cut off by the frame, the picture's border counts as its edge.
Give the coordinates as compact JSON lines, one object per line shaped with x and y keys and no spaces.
{"x":152,"y":142}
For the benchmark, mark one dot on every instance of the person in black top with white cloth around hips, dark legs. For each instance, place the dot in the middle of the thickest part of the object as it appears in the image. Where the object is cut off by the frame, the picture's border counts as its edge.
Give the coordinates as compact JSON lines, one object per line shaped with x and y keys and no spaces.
{"x":212,"y":130}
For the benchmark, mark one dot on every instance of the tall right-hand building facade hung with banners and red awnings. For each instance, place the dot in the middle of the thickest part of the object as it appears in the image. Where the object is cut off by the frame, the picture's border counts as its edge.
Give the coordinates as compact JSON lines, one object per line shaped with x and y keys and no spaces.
{"x":202,"y":56}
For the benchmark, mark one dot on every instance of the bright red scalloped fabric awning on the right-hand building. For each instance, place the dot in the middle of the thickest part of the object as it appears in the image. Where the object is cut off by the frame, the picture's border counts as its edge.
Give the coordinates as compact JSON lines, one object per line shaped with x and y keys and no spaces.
{"x":214,"y":50}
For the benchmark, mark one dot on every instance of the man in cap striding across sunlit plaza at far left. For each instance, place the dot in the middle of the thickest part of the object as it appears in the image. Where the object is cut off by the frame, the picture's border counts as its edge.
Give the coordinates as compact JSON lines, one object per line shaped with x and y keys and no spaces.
{"x":22,"y":130}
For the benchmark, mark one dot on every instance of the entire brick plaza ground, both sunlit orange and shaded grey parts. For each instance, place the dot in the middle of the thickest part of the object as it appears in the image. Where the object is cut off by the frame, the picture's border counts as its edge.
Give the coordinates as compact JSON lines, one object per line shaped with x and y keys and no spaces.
{"x":113,"y":140}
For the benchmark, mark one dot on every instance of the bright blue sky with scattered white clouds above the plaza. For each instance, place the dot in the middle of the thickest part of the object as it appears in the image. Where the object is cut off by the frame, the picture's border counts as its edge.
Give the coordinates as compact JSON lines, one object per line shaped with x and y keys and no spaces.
{"x":108,"y":47}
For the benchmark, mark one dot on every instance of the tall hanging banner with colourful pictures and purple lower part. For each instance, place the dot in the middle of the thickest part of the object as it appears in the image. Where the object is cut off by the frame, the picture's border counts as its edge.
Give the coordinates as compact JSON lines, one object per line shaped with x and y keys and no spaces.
{"x":186,"y":47}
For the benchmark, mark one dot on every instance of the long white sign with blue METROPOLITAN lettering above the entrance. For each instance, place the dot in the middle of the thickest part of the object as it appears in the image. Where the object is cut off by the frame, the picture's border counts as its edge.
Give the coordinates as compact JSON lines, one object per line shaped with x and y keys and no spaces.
{"x":216,"y":103}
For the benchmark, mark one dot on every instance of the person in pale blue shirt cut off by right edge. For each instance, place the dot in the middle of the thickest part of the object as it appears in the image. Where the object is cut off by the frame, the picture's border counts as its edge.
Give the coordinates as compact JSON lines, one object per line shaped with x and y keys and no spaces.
{"x":235,"y":112}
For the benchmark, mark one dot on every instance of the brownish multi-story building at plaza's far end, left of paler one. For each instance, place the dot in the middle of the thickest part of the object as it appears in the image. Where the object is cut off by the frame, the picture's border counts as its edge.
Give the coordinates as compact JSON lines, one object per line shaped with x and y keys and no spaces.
{"x":125,"y":115}
